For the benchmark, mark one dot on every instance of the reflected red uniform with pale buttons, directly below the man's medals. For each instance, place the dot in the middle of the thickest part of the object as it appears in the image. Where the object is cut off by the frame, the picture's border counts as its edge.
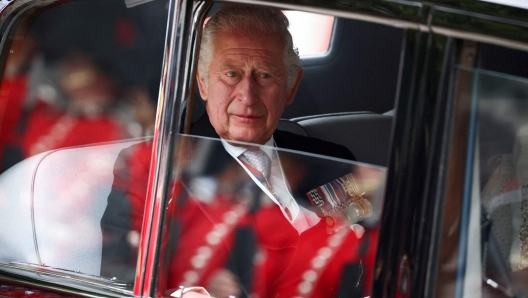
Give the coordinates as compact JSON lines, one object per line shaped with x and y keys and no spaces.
{"x":318,"y":265}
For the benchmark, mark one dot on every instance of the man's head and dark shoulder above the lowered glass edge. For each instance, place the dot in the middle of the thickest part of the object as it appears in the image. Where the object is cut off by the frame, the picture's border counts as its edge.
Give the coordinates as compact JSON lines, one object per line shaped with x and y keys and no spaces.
{"x":248,"y":72}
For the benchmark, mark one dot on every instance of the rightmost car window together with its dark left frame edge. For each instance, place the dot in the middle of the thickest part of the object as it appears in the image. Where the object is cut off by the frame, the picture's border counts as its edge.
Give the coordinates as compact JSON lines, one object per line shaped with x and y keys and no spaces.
{"x":487,"y":256}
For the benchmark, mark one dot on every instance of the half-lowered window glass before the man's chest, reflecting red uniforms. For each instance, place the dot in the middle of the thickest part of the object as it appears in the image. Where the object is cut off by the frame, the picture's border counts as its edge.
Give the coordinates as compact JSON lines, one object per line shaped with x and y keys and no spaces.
{"x":234,"y":232}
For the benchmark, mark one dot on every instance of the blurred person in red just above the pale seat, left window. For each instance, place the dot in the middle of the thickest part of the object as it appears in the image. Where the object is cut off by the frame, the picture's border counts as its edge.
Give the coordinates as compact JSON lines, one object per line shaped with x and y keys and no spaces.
{"x":85,"y":119}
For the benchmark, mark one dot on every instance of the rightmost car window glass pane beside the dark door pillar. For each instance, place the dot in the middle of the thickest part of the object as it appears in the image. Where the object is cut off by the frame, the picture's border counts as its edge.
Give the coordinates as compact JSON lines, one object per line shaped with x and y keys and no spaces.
{"x":500,"y":90}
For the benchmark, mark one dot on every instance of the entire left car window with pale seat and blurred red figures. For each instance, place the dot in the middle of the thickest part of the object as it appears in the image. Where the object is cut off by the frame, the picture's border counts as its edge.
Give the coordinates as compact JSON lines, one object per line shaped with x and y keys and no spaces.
{"x":79,"y":85}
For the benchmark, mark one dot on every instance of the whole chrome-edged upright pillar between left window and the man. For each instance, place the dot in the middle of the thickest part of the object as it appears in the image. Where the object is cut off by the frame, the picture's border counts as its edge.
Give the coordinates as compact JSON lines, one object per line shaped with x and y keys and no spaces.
{"x":174,"y":90}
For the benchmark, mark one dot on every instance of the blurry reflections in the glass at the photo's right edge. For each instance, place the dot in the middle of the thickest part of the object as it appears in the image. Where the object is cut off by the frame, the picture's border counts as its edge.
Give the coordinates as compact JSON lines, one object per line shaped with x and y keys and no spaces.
{"x":501,"y":171}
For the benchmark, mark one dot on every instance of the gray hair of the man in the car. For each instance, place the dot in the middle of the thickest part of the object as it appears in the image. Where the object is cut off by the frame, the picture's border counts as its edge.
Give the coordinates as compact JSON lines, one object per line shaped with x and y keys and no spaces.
{"x":252,"y":21}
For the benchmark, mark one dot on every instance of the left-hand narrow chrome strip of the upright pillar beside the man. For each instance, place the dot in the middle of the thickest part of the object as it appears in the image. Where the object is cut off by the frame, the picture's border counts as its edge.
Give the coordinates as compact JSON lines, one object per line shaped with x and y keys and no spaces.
{"x":159,"y":162}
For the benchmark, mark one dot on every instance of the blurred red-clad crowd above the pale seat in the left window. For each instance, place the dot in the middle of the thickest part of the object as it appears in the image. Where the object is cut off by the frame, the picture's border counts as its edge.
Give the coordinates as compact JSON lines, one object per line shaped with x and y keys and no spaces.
{"x":57,"y":80}
